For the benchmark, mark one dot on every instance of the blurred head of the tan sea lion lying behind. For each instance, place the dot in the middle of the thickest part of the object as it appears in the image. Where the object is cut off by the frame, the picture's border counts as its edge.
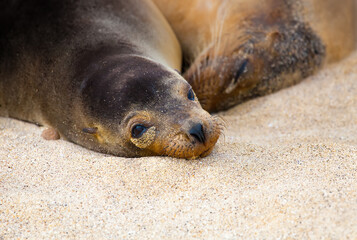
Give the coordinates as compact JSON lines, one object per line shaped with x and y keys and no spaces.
{"x":254,"y":55}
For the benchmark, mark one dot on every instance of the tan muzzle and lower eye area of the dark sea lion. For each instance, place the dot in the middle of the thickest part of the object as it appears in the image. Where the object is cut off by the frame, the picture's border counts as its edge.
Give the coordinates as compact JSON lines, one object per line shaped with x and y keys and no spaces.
{"x":189,"y":135}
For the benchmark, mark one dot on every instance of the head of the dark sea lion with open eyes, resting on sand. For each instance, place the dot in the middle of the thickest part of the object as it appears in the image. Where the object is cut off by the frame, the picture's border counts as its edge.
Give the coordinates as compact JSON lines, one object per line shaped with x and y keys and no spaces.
{"x":133,"y":107}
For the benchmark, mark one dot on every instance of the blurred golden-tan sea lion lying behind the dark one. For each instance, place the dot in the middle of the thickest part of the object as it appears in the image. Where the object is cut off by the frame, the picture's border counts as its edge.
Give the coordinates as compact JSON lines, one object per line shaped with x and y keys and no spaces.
{"x":238,"y":49}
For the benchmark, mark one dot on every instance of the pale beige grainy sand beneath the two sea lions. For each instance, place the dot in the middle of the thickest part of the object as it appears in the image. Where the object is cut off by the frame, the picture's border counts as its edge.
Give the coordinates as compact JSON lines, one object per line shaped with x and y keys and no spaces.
{"x":286,"y":168}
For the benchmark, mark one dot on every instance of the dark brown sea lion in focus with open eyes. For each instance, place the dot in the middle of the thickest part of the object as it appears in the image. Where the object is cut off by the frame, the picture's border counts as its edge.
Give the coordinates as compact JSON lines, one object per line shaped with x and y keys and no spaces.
{"x":102,"y":73}
